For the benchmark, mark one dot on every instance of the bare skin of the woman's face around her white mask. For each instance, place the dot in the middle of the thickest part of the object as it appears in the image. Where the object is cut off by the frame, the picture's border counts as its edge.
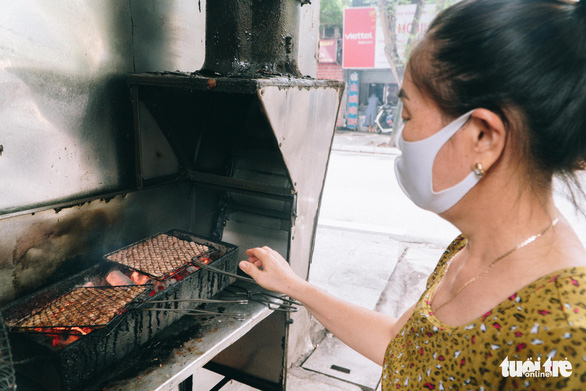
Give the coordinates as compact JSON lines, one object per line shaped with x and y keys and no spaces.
{"x":423,"y":119}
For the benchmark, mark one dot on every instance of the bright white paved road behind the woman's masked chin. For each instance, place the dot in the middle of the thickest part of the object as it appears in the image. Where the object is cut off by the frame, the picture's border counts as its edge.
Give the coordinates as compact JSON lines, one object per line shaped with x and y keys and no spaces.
{"x":361,"y":193}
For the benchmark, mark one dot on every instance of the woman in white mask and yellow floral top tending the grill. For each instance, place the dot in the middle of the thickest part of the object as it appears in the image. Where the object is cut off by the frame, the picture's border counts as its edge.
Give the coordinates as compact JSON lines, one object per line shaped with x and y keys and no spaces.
{"x":494,"y":104}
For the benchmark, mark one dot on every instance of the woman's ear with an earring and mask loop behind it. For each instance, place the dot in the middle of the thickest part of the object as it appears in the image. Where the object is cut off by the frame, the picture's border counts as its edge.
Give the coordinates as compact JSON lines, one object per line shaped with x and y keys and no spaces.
{"x":489,"y":134}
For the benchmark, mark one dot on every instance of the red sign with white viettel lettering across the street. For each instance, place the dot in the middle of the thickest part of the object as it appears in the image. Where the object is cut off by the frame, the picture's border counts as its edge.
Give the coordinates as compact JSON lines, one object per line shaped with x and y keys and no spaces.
{"x":359,"y":37}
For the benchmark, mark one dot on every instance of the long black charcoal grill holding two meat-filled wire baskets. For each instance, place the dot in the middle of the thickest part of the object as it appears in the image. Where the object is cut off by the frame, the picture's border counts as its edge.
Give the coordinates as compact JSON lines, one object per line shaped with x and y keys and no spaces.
{"x":74,"y":335}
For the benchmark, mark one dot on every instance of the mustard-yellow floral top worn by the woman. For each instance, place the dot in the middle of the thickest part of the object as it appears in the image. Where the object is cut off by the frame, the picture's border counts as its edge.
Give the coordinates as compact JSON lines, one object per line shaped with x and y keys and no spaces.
{"x":534,"y":340}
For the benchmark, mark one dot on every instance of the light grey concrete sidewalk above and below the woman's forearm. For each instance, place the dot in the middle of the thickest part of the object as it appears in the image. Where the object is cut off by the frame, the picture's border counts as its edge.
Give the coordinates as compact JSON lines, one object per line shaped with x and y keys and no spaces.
{"x":374,"y":271}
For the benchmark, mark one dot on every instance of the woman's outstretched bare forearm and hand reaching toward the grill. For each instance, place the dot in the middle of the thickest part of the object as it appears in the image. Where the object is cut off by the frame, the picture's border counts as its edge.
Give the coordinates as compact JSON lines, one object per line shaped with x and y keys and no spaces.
{"x":366,"y":331}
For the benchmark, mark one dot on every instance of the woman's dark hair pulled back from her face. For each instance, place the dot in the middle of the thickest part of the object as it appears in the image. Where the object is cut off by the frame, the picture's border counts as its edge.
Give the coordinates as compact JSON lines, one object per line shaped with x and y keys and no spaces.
{"x":522,"y":59}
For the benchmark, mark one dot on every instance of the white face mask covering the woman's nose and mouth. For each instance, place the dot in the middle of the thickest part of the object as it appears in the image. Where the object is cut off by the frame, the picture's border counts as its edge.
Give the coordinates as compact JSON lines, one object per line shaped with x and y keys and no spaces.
{"x":414,"y":170}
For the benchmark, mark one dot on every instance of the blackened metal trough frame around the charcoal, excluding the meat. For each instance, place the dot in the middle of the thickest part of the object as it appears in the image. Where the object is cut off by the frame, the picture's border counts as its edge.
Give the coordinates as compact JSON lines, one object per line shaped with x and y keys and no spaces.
{"x":85,"y":360}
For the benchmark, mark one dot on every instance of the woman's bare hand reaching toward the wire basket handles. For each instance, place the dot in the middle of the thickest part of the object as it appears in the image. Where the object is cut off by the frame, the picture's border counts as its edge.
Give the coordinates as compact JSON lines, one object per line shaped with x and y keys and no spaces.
{"x":270,"y":270}
